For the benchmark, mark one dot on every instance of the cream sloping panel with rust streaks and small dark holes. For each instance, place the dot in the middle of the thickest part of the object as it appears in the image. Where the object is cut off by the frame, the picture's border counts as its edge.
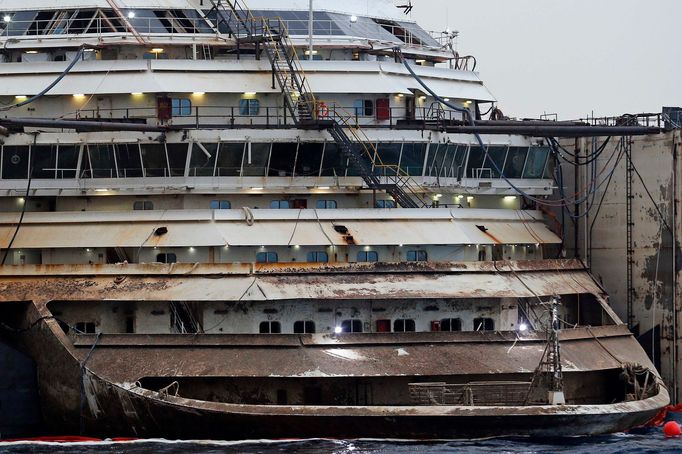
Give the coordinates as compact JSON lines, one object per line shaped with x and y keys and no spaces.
{"x":92,"y":229}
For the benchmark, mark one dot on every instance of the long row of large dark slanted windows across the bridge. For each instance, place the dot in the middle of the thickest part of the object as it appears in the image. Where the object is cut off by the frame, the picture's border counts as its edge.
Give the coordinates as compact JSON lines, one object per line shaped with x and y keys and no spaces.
{"x":268,"y":159}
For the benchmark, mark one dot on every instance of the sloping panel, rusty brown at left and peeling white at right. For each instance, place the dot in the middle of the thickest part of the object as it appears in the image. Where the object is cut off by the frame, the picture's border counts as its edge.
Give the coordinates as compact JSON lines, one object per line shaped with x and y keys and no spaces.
{"x":263,"y":287}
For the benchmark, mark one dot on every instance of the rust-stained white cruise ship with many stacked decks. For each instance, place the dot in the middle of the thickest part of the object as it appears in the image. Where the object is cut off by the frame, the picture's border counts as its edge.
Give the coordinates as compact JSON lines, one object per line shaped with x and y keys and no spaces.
{"x":230,"y":220}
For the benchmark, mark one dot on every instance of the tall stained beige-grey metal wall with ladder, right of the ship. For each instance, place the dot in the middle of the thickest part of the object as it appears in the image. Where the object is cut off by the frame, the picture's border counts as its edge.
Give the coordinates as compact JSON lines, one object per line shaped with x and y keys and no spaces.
{"x":602,"y":236}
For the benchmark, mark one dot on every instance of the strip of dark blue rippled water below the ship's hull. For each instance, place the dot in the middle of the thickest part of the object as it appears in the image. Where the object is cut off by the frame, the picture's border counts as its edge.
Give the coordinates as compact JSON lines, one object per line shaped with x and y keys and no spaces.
{"x":650,"y":441}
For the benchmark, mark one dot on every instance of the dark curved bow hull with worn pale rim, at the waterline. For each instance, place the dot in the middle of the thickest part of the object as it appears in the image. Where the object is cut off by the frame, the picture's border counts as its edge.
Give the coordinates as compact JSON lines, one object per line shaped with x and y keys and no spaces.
{"x":76,"y":395}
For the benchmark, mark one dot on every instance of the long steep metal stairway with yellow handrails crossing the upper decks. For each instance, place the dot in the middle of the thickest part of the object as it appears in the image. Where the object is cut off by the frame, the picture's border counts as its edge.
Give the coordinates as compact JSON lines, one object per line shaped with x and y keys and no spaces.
{"x":300,"y":100}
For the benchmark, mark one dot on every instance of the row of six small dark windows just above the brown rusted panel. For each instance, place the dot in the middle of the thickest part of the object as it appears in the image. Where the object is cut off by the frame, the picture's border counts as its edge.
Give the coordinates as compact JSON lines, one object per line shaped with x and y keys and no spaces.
{"x":382,"y":326}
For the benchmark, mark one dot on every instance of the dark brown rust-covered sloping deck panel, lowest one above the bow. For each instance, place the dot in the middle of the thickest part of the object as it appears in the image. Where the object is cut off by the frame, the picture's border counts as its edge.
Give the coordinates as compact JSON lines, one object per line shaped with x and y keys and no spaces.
{"x":582,"y":353}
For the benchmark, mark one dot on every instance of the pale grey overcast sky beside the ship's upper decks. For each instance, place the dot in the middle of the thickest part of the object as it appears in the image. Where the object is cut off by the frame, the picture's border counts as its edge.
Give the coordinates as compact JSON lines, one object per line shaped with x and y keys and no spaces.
{"x":569,"y":57}
